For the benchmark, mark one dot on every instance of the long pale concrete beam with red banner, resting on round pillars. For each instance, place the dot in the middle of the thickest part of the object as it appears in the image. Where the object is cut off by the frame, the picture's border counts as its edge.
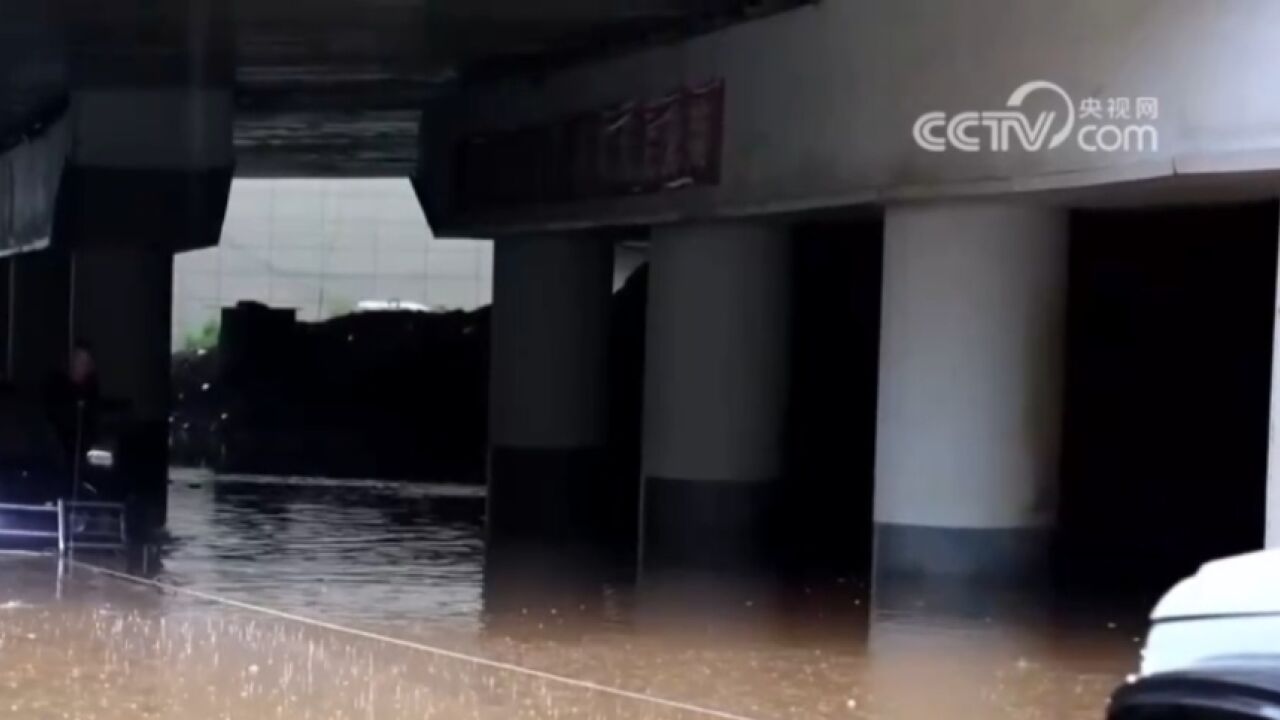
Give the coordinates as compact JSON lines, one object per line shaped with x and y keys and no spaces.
{"x":821,"y":104}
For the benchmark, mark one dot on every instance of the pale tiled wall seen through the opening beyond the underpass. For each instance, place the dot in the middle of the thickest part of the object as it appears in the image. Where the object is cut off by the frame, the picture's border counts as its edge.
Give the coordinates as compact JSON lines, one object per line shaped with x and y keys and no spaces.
{"x":322,"y":247}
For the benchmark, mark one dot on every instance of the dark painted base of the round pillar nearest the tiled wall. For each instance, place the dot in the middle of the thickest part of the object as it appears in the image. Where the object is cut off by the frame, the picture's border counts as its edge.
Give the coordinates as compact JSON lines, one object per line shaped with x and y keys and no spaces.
{"x":548,"y":496}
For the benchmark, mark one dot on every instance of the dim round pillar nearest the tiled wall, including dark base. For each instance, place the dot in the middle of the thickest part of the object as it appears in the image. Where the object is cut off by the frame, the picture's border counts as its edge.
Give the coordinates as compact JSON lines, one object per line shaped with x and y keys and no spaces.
{"x":548,"y":385}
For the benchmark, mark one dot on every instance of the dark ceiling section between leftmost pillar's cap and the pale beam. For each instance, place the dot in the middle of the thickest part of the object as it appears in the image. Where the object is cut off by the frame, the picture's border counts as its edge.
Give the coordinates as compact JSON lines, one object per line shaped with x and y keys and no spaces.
{"x":336,"y":89}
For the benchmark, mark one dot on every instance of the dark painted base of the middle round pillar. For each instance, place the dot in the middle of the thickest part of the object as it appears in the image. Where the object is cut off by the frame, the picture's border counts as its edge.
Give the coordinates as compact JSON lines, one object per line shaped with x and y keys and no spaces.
{"x":708,"y":526}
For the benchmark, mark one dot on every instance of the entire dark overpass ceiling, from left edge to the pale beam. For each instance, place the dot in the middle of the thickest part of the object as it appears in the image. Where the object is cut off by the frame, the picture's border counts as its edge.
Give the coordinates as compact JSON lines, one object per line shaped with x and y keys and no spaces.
{"x":330,"y":88}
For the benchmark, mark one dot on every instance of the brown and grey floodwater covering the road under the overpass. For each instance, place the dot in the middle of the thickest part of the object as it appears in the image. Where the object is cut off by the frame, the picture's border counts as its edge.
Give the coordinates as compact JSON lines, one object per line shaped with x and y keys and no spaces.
{"x":408,"y":563}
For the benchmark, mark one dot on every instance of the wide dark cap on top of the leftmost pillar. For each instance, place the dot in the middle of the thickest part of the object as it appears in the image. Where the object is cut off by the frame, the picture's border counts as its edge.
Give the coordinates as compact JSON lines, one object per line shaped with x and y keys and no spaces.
{"x":153,"y":111}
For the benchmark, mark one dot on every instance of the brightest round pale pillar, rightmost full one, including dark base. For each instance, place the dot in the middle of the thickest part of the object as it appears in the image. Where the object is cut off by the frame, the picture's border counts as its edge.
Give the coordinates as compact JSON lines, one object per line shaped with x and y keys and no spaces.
{"x":972,"y":352}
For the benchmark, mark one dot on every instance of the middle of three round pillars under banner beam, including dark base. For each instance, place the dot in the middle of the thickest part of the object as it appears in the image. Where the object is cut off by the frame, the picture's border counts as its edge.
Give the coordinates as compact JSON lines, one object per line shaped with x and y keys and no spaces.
{"x":716,"y":379}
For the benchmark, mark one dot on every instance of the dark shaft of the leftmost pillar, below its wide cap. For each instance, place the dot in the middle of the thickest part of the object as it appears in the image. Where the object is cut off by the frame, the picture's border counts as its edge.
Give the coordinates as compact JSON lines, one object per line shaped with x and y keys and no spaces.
{"x":122,"y":309}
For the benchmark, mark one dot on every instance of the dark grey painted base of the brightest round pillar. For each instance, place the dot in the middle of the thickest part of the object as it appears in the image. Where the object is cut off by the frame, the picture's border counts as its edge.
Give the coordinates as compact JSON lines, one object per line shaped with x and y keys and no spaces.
{"x":959,"y":572}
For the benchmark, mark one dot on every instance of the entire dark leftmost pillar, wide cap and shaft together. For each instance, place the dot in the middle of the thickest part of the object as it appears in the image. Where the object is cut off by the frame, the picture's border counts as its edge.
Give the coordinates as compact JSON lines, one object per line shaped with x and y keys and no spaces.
{"x":149,"y":175}
